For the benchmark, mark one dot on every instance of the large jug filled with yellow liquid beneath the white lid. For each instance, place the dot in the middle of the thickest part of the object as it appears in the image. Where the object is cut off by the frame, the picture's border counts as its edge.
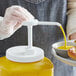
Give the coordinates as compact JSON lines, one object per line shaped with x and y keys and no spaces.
{"x":40,"y":68}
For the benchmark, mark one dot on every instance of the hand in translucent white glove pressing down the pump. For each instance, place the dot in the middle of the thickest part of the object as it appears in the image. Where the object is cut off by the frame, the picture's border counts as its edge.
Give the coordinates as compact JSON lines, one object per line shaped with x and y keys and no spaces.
{"x":12,"y":21}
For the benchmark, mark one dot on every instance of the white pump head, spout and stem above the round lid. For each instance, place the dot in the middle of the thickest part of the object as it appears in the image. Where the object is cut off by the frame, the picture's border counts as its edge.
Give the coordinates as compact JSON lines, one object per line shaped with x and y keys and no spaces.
{"x":35,"y":22}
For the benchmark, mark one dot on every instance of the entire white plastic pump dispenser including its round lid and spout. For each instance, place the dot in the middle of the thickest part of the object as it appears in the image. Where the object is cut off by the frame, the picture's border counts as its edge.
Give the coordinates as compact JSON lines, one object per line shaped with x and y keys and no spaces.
{"x":28,"y":53}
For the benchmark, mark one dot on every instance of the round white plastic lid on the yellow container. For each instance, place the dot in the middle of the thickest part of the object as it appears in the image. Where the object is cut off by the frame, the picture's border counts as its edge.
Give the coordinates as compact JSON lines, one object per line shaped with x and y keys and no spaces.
{"x":24,"y":54}
